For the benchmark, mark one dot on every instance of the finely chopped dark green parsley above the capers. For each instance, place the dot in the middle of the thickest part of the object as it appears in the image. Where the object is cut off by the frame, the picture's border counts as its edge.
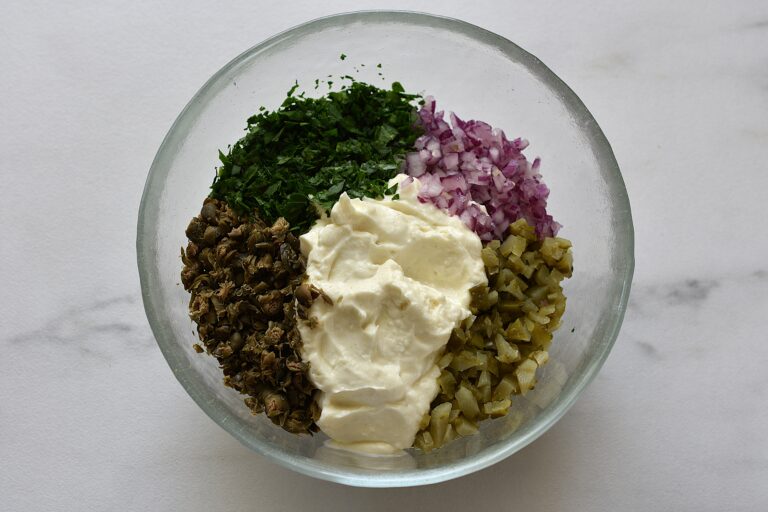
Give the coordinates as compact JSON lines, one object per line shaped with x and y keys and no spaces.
{"x":296,"y":161}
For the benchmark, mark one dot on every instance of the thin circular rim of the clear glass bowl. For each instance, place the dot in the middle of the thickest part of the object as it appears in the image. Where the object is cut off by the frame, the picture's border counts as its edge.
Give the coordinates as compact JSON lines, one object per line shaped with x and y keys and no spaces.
{"x":577,"y":382}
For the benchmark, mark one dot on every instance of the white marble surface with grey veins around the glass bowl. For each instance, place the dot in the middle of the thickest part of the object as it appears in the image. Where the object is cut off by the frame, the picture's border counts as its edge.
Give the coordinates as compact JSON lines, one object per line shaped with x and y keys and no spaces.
{"x":92,"y":419}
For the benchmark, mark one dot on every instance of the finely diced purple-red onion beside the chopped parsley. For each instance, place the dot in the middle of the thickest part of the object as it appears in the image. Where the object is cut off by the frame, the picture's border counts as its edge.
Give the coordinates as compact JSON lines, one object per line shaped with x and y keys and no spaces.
{"x":472,"y":171}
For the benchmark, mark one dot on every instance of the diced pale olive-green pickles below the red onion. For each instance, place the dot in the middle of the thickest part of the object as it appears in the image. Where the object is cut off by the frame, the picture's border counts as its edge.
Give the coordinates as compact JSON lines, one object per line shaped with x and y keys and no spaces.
{"x":494,"y":353}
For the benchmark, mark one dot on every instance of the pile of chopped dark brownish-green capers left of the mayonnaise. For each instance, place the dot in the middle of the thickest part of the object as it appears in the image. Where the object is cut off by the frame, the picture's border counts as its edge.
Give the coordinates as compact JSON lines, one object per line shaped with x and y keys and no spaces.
{"x":243,"y":276}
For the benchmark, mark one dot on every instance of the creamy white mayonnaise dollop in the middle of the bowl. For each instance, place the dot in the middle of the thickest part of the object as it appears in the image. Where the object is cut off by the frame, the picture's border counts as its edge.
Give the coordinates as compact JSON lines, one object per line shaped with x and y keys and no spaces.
{"x":399,"y":274}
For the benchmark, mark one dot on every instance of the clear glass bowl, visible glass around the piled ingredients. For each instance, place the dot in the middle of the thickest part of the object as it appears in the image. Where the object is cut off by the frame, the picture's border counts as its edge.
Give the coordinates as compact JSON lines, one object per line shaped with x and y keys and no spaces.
{"x":478,"y":75}
